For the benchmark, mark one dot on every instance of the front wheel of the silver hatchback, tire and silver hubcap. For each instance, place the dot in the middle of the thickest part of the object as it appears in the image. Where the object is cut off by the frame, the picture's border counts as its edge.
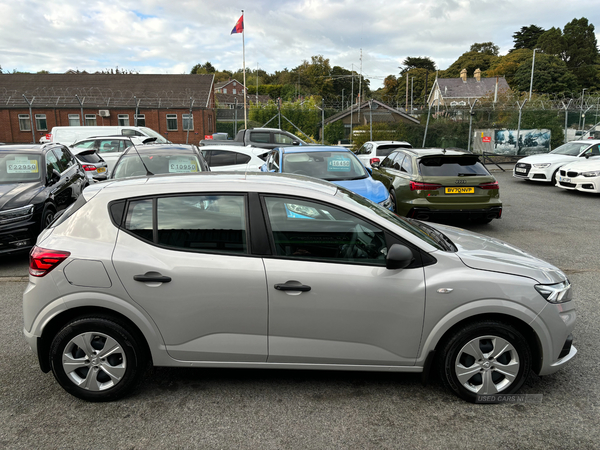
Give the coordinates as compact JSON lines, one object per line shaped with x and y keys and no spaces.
{"x":514,"y":363}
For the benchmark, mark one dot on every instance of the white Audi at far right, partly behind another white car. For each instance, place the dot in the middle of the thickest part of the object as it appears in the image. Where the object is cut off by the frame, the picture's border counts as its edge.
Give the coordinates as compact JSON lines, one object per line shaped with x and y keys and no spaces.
{"x":544,"y":167}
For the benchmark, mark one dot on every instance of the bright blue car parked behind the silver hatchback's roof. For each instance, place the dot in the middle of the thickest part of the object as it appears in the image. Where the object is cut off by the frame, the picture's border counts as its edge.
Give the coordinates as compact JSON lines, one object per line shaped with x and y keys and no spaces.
{"x":334,"y":164}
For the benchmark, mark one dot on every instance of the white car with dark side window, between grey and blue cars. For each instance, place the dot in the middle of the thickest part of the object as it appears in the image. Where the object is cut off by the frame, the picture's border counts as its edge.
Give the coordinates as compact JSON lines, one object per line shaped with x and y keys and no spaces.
{"x":234,"y":158}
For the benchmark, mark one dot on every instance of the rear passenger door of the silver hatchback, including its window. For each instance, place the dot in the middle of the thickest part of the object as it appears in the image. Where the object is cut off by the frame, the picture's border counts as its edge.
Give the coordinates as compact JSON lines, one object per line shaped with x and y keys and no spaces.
{"x":186,"y":261}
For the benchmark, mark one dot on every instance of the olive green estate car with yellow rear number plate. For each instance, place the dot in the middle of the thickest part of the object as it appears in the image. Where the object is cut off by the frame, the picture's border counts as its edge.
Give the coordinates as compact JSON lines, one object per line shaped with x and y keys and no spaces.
{"x":430,"y":183}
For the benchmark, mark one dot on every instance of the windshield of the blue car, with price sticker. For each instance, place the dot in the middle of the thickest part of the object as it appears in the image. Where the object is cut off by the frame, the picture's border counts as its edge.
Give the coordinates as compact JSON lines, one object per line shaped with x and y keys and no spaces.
{"x":330,"y":166}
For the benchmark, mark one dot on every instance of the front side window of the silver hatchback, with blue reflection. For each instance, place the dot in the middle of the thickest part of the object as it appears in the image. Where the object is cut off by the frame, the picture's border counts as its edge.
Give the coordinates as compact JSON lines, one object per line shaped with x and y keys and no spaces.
{"x":308,"y":230}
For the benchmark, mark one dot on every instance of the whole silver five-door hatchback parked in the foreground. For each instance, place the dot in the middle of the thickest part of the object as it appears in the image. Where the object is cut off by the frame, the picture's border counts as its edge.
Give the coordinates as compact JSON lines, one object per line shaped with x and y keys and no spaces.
{"x":281,"y":271}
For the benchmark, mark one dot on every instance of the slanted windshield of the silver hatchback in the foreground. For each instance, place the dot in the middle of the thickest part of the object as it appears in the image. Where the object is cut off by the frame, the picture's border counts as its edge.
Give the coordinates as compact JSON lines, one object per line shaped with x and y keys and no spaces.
{"x":415,"y":227}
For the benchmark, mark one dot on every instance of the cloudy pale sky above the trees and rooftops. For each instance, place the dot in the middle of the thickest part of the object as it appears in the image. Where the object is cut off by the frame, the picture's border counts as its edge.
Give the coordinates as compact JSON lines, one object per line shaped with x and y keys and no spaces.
{"x":170,"y":37}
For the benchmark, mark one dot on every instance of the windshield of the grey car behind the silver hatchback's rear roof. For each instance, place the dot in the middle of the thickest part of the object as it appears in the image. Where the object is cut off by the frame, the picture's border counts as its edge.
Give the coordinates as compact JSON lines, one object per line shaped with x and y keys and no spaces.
{"x":130,"y":165}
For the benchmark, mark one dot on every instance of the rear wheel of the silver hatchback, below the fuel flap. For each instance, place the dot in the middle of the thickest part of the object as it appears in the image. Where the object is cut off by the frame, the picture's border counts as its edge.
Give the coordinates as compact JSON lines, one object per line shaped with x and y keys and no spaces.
{"x":91,"y":380}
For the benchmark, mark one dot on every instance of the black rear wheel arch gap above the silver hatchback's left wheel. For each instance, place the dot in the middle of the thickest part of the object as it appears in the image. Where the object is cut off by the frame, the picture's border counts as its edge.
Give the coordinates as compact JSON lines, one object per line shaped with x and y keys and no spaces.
{"x":60,"y":320}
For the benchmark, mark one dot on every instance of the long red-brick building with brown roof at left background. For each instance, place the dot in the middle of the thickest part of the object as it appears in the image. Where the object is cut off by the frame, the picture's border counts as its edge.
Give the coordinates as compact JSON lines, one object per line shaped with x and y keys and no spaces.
{"x":31,"y":104}
